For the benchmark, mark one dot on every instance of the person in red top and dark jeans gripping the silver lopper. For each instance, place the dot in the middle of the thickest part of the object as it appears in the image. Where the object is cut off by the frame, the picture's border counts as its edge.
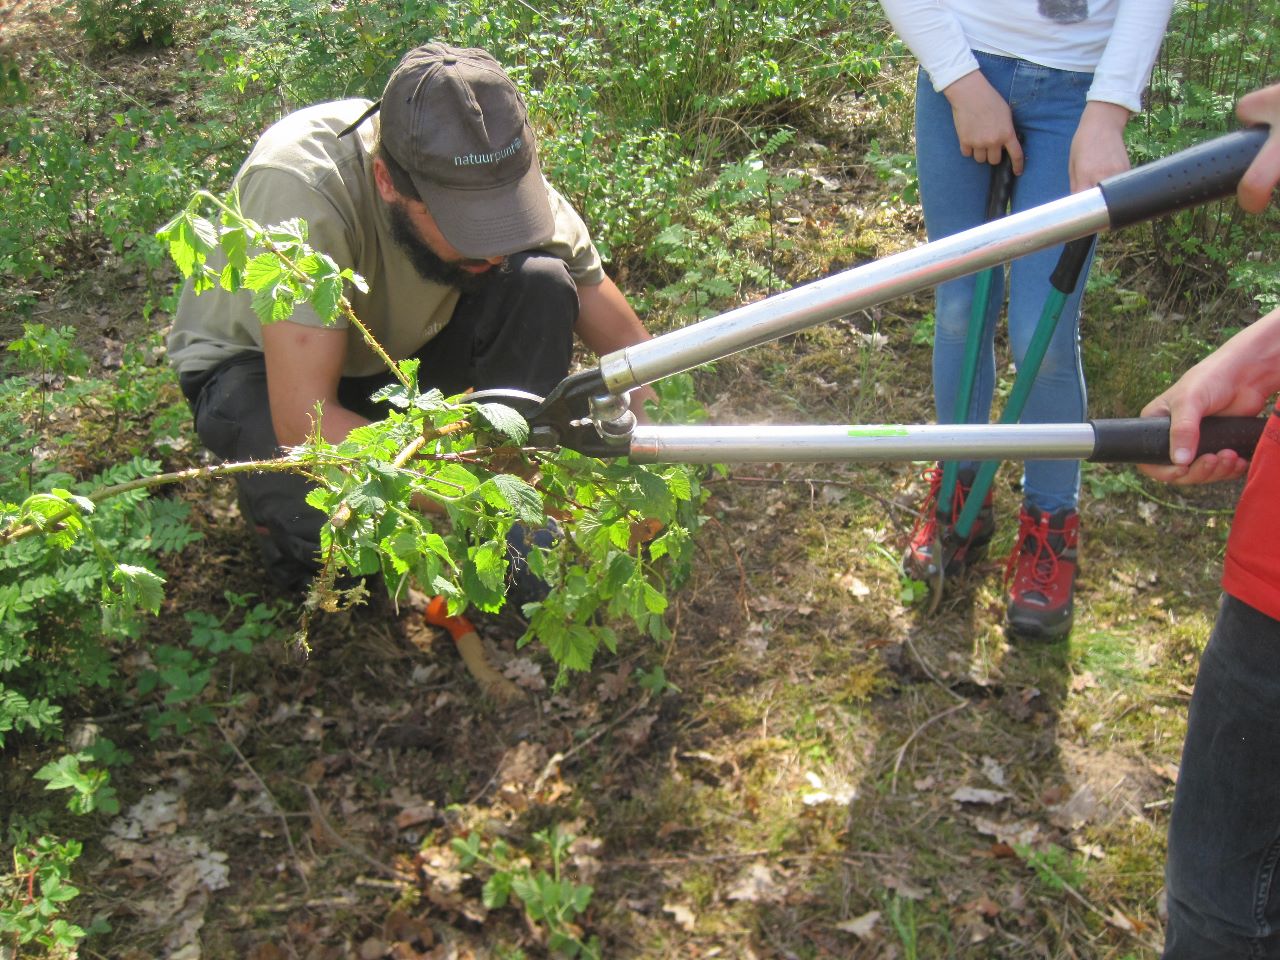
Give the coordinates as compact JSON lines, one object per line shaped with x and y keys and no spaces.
{"x":1223,"y":879}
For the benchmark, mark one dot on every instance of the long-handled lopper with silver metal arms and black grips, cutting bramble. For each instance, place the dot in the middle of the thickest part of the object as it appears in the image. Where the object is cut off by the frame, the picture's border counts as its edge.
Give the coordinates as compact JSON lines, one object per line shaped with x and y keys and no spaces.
{"x":588,"y":410}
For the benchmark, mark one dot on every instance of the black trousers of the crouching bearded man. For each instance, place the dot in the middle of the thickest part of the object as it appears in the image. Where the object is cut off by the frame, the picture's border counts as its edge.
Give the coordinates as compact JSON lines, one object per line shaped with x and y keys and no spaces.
{"x":516,"y":332}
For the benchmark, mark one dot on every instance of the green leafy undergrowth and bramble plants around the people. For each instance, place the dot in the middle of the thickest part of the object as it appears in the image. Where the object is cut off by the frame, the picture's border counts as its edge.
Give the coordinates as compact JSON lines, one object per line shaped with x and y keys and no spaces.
{"x":684,"y":131}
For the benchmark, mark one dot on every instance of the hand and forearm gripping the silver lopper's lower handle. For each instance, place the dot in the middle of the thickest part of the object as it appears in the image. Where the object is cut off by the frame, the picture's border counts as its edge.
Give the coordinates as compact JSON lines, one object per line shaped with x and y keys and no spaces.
{"x":1236,"y":381}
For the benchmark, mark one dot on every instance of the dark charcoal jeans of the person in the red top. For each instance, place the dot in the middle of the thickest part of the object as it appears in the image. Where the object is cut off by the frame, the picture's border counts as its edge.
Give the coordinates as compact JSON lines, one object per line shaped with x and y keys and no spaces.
{"x":1224,"y":836}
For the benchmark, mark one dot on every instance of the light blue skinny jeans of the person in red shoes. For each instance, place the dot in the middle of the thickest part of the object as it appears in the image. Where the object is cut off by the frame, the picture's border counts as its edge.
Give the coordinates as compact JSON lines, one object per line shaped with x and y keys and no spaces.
{"x":1046,"y":107}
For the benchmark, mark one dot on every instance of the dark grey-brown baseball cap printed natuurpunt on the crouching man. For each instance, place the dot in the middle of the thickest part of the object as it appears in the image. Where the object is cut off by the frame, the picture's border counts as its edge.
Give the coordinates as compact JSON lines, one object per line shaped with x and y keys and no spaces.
{"x":456,"y":124}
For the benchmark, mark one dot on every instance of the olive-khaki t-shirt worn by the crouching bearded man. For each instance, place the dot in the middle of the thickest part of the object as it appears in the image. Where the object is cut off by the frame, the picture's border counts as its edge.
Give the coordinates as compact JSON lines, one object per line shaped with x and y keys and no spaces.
{"x":301,"y":168}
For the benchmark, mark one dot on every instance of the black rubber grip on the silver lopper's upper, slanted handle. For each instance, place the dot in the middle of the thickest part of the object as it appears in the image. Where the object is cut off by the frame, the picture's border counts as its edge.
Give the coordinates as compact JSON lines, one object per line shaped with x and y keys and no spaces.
{"x":1199,"y":175}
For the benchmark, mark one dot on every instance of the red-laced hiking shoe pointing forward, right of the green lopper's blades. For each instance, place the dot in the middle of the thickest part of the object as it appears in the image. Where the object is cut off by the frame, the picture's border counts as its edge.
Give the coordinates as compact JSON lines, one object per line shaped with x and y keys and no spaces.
{"x":1041,"y":575}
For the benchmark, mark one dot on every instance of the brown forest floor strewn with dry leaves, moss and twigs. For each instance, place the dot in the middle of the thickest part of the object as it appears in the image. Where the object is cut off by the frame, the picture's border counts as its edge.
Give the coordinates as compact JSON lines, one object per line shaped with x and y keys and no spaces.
{"x":831,"y":771}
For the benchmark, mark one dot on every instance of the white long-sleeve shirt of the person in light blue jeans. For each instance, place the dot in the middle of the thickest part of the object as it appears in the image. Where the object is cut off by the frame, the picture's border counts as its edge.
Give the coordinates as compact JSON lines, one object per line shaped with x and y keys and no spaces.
{"x":1114,"y":40}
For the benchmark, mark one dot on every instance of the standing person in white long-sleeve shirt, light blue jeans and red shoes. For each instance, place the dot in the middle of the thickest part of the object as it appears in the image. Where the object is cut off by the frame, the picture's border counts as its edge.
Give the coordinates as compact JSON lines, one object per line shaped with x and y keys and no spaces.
{"x":1050,"y":85}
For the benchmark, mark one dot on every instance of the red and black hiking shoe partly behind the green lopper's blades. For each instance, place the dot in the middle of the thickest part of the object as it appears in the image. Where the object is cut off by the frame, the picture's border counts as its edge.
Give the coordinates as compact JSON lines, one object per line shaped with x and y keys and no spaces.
{"x":935,"y":531}
